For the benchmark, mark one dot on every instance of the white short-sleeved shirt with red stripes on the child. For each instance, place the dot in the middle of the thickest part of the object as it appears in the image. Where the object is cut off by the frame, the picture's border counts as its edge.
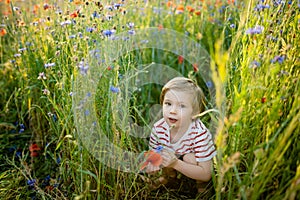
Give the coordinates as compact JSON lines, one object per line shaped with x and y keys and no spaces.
{"x":197,"y":139}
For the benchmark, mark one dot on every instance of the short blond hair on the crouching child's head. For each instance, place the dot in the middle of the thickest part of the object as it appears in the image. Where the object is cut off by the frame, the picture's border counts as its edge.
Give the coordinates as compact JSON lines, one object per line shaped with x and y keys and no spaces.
{"x":185,"y":85}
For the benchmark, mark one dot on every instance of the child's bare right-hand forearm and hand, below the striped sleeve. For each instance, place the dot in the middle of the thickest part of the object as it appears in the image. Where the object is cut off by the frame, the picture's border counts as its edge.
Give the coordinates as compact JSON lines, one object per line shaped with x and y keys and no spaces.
{"x":189,"y":166}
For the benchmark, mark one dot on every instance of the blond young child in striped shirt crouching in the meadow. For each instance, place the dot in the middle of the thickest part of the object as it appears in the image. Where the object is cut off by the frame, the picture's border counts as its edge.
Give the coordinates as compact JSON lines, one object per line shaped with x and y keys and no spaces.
{"x":187,"y":144}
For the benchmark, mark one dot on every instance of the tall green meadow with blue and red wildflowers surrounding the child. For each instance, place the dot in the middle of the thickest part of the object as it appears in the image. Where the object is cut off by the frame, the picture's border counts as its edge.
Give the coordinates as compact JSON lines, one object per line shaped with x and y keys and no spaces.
{"x":54,"y":52}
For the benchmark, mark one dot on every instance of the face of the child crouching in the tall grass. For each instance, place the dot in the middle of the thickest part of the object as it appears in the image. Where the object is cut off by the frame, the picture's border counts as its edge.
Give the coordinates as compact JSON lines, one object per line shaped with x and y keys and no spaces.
{"x":177,"y":109}
